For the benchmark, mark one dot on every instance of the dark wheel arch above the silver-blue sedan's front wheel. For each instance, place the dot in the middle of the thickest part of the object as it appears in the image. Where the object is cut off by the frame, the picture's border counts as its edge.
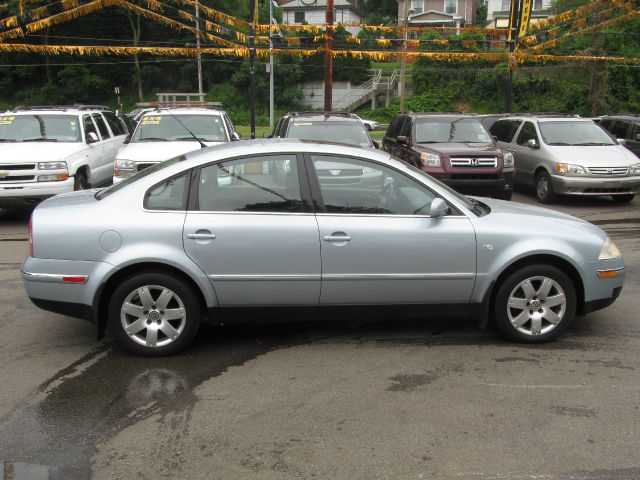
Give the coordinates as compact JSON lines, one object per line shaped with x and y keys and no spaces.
{"x":546,"y":259}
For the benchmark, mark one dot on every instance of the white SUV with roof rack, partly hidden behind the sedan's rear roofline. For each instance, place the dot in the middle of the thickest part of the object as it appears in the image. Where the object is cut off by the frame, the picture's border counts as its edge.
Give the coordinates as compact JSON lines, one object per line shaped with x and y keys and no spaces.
{"x":167,"y":132}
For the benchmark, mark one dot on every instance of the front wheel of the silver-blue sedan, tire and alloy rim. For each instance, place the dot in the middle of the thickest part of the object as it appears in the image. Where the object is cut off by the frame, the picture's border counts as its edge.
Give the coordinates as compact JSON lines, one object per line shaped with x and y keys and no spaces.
{"x":553,"y":293}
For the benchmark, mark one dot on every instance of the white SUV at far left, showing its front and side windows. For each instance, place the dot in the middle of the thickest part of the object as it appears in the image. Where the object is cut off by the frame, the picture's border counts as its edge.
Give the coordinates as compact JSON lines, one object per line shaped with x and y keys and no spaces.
{"x":49,"y":150}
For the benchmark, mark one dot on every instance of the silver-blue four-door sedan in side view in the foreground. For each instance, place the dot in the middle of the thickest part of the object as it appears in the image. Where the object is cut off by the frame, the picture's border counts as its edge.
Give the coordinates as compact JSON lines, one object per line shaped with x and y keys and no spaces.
{"x":248,"y":231}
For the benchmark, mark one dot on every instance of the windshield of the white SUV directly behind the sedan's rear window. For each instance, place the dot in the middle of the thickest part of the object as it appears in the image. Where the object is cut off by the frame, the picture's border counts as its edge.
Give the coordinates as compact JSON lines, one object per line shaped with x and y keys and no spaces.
{"x":208,"y":128}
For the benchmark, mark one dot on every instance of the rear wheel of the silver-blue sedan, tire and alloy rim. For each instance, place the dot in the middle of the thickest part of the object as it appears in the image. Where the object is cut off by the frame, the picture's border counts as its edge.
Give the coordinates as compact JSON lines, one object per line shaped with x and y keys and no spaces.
{"x":152,"y":331}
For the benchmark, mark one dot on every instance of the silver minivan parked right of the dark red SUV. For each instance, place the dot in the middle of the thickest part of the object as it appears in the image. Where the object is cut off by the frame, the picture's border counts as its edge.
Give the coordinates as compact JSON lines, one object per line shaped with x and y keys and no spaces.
{"x":561,"y":155}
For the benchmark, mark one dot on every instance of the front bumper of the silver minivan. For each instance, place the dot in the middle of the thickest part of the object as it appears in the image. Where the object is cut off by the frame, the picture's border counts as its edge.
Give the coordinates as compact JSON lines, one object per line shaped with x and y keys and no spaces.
{"x":596,"y":185}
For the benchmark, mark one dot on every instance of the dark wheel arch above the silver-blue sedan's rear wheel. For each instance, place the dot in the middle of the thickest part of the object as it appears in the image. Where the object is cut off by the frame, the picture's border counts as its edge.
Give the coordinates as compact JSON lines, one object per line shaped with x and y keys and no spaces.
{"x":101,"y":302}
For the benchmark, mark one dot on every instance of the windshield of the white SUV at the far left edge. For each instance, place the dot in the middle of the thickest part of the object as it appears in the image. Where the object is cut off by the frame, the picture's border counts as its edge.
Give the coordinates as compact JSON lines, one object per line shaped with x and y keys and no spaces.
{"x":39,"y":128}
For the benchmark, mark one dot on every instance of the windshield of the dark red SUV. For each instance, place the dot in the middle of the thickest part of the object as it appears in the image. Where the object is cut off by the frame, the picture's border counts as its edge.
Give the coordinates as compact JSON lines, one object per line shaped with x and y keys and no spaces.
{"x":443,"y":130}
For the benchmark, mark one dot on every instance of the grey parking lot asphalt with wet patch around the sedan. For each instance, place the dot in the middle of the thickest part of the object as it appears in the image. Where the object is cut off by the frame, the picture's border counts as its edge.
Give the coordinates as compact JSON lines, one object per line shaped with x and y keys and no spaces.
{"x":348,"y":399}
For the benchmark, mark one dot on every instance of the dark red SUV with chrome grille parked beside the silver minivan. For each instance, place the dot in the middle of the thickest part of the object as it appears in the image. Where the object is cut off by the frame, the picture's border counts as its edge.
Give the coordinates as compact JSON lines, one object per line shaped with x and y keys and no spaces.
{"x":454,"y":148}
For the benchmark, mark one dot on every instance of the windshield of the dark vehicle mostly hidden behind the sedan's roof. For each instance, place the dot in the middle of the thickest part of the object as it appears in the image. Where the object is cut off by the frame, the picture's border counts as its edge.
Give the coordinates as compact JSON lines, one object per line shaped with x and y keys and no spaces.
{"x":350,"y":133}
